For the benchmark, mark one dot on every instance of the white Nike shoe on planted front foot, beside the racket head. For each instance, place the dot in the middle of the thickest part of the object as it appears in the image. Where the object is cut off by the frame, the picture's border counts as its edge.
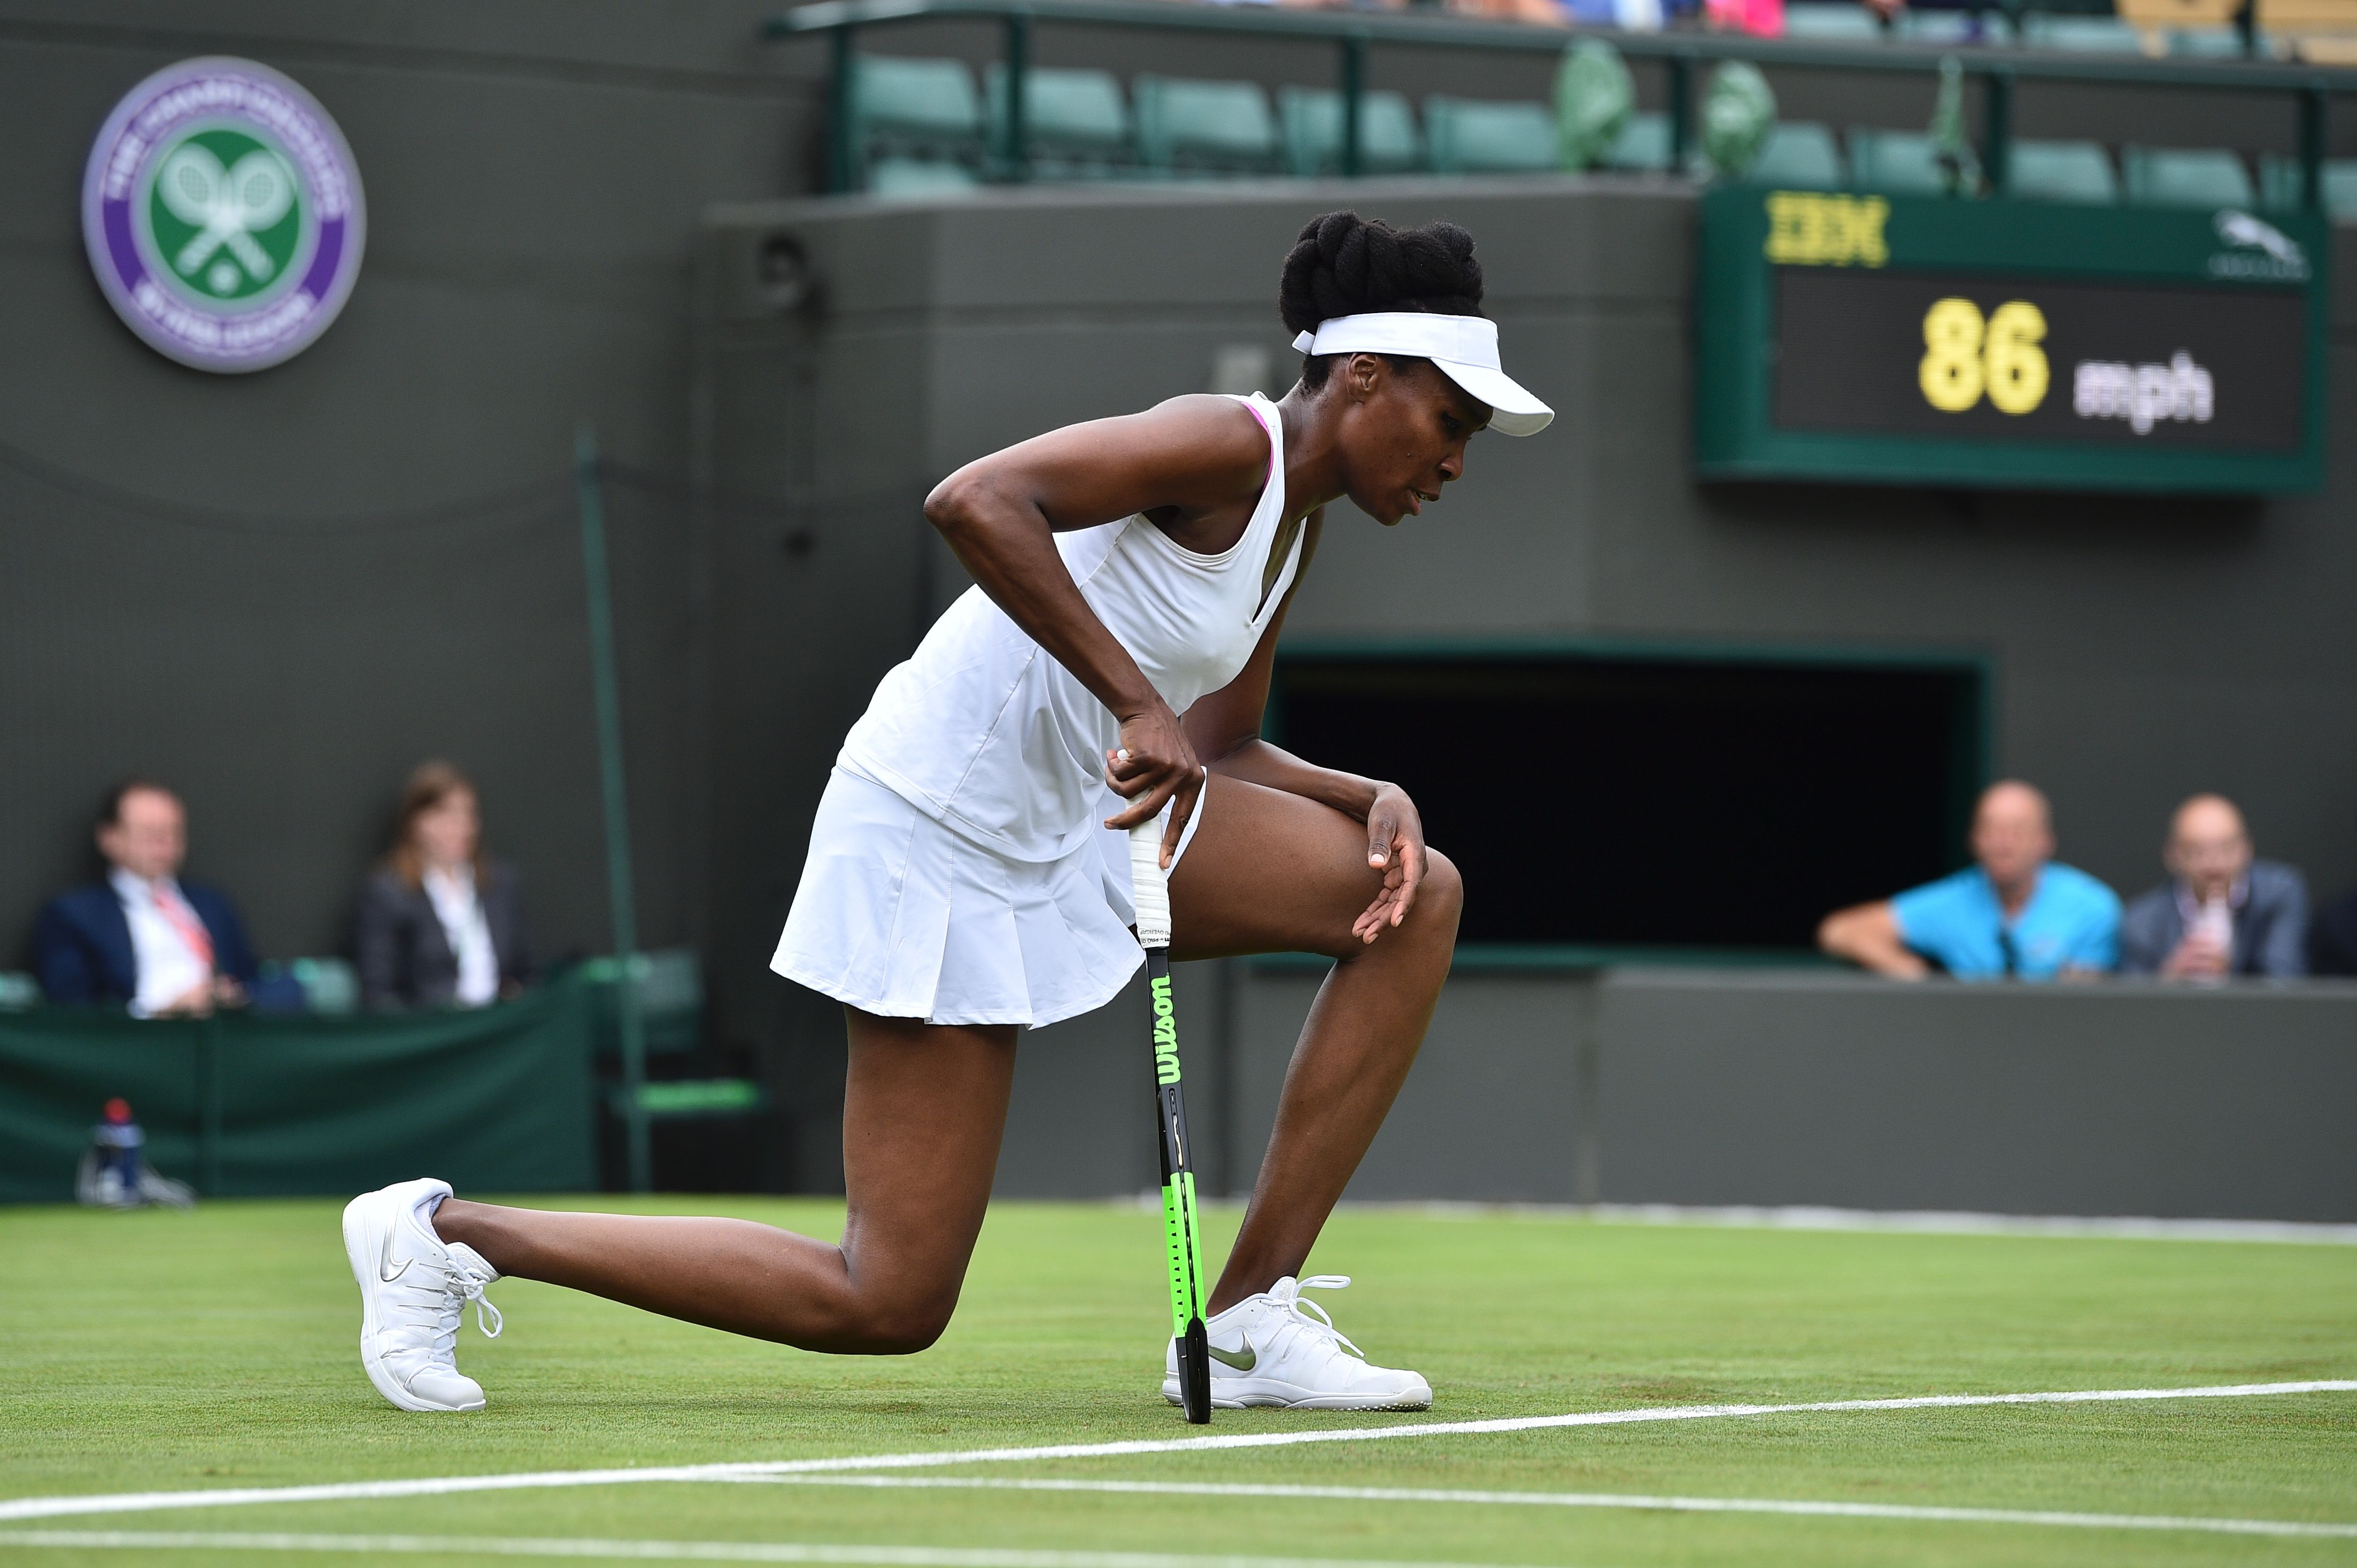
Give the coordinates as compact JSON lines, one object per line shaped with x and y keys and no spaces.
{"x":1279,"y":1350}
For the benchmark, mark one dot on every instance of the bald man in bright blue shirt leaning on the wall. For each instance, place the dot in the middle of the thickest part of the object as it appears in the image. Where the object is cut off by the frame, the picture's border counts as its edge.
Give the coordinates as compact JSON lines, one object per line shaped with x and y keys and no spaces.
{"x":2014,"y":914}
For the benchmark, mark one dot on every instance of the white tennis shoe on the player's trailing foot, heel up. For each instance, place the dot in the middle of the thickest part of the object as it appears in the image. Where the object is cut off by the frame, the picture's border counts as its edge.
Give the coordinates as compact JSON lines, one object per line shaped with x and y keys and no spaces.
{"x":414,"y":1293}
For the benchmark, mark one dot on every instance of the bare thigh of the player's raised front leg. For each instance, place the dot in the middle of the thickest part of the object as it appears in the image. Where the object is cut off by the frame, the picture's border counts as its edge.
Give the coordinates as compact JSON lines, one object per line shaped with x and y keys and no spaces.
{"x":1272,"y":874}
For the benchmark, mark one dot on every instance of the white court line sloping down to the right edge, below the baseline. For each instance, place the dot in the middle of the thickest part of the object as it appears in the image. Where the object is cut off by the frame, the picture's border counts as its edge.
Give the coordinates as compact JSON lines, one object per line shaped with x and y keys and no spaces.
{"x":1602,"y":1501}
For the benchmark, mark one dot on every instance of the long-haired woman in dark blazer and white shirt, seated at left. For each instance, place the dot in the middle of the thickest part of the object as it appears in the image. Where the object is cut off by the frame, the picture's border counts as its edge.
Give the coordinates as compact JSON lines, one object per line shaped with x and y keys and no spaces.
{"x":440,"y":923}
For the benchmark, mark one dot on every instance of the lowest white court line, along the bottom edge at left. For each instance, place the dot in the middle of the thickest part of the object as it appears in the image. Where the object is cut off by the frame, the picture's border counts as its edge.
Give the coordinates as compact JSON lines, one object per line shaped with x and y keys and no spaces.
{"x":668,"y":1550}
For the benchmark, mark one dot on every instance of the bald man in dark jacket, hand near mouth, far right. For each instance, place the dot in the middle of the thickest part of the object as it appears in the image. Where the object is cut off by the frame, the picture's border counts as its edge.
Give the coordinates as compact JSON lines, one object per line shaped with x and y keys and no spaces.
{"x":2221,"y":909}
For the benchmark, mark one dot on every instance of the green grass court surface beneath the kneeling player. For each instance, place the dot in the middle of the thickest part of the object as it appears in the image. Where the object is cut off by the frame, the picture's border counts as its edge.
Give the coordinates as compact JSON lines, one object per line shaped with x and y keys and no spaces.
{"x":159,"y":1352}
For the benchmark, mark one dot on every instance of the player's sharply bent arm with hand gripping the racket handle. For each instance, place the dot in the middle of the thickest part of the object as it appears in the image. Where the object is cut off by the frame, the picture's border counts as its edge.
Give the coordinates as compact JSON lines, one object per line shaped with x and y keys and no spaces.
{"x":1001,"y":518}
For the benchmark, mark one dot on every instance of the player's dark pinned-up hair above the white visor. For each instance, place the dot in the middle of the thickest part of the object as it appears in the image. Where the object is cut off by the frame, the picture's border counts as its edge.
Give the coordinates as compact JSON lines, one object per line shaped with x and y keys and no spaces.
{"x":1349,"y":265}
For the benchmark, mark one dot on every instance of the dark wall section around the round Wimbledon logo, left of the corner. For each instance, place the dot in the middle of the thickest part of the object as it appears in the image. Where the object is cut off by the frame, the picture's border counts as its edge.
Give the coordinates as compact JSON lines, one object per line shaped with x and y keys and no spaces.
{"x":275,"y":591}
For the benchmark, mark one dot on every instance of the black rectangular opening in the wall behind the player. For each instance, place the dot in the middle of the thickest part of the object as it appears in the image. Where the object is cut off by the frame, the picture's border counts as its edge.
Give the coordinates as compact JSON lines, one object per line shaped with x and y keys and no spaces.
{"x":1658,"y":801}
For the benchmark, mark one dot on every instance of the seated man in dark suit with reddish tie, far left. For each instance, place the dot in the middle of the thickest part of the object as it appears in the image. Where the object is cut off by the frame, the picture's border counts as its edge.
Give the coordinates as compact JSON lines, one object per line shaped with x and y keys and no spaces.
{"x":145,"y":937}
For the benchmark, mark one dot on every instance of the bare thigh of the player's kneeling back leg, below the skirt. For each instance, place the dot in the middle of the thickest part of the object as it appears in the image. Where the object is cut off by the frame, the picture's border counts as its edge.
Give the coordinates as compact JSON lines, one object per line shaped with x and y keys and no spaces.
{"x":925,"y":1109}
